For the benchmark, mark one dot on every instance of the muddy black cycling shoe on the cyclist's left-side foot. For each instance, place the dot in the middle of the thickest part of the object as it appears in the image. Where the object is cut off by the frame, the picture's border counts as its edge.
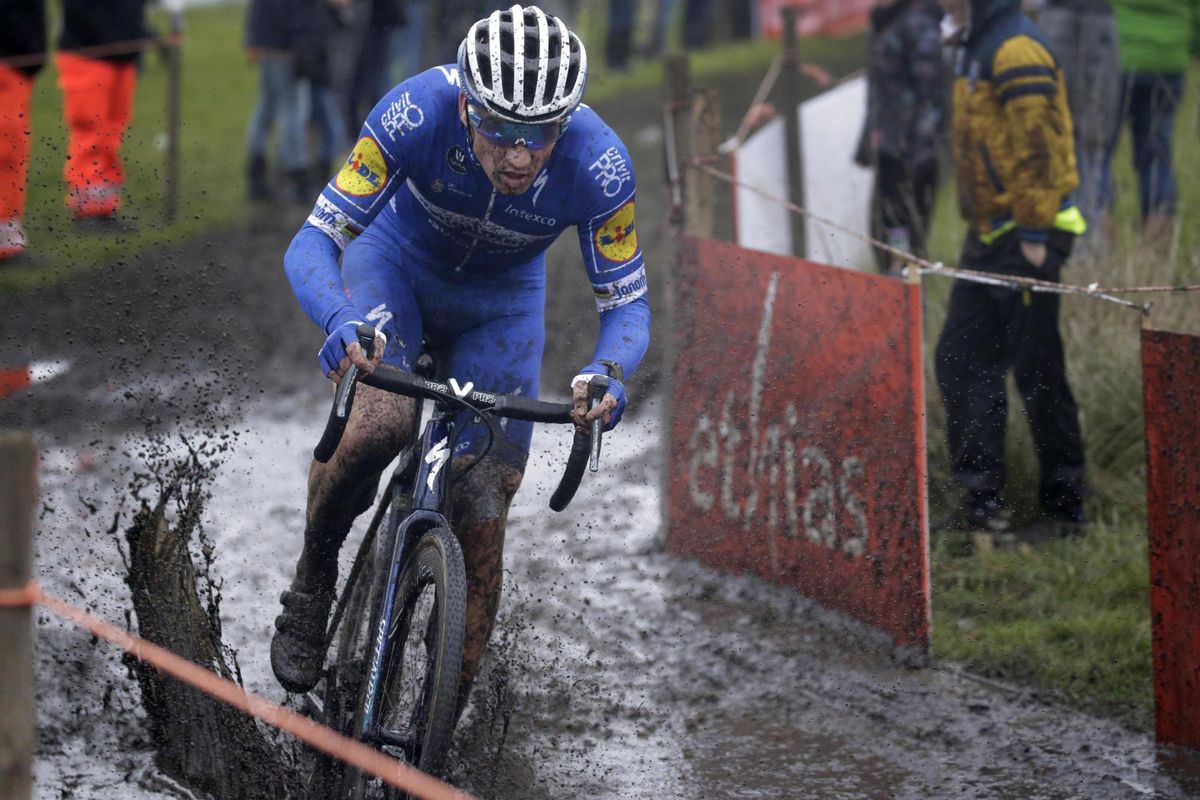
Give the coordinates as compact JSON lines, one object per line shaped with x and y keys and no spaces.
{"x":298,"y":651}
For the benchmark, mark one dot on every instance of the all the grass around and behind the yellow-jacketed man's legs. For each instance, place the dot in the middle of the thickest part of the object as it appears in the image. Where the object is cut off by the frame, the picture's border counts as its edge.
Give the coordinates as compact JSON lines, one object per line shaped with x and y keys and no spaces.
{"x":1073,"y":618}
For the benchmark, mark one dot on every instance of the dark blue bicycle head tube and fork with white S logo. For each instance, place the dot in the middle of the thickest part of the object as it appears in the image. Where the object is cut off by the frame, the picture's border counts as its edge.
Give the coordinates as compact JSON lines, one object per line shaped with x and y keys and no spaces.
{"x":429,"y":502}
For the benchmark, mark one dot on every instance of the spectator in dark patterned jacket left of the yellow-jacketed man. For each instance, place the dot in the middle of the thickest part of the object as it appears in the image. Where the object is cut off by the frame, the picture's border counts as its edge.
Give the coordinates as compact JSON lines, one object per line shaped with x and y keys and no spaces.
{"x":904,"y":117}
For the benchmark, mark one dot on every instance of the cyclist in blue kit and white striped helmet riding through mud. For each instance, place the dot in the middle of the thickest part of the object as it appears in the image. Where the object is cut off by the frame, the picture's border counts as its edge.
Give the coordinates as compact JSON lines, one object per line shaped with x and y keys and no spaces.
{"x":461,"y":179}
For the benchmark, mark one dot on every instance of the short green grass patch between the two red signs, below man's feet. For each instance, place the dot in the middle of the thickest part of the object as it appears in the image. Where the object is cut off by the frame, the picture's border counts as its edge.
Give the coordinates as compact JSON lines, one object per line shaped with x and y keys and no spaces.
{"x":1070,"y":618}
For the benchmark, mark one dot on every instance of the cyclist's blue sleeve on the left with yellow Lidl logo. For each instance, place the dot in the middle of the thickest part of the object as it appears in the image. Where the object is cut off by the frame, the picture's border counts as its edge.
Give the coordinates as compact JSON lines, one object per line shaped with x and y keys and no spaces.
{"x":398,"y":131}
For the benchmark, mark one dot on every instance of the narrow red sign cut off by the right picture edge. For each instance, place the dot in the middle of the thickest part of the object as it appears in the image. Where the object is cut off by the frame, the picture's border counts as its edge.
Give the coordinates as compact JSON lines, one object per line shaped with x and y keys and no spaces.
{"x":1171,"y":370}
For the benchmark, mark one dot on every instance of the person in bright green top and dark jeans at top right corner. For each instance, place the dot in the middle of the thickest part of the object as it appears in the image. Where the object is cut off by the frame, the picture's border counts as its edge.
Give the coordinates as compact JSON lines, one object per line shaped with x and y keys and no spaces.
{"x":1155,"y":39}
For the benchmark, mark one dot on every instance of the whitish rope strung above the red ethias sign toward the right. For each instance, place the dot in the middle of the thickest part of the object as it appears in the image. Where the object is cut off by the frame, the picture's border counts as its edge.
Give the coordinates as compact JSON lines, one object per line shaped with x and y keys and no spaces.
{"x":931,"y":268}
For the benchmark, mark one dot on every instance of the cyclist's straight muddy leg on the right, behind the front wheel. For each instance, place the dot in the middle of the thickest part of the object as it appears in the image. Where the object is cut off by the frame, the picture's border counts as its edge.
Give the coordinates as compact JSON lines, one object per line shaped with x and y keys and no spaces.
{"x":482,"y":509}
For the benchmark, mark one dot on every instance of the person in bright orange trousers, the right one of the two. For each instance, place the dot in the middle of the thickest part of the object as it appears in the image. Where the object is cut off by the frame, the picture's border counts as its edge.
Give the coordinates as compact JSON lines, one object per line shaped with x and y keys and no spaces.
{"x":98,"y":75}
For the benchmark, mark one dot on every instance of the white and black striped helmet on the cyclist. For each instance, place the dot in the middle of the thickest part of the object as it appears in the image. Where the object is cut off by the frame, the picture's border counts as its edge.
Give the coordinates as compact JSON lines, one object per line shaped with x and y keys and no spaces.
{"x":524,"y":65}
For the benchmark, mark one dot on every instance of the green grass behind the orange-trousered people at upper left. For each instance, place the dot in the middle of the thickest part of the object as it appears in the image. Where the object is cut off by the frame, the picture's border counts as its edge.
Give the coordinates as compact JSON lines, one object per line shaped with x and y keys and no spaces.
{"x":218,"y":89}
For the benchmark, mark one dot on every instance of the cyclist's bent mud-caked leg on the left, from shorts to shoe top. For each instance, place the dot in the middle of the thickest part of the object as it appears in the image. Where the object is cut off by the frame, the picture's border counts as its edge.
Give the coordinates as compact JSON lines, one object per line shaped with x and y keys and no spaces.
{"x":345,"y":488}
